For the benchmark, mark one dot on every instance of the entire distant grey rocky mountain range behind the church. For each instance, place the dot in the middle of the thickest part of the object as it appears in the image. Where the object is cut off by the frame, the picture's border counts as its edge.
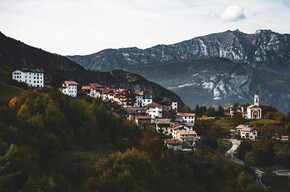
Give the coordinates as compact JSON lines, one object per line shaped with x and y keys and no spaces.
{"x":216,"y":69}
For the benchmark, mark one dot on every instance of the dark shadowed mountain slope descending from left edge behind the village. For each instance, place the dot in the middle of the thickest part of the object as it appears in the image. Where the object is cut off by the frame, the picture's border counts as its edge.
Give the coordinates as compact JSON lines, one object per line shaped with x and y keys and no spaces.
{"x":17,"y":54}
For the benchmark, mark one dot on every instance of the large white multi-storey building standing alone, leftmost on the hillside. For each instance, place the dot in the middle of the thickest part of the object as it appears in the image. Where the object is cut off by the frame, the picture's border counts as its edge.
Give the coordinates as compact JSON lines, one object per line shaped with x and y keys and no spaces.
{"x":32,"y":77}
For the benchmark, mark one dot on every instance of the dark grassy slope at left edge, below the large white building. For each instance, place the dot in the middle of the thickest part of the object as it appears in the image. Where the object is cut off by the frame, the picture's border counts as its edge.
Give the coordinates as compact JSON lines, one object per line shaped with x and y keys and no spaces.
{"x":7,"y":92}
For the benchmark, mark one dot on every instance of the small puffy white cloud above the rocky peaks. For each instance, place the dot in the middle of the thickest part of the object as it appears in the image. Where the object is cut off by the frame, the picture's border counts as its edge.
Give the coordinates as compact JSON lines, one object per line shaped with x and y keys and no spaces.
{"x":233,"y":13}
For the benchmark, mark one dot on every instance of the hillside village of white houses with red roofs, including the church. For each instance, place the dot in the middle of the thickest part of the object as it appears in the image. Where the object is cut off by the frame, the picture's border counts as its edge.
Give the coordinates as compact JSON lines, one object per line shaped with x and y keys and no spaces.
{"x":141,"y":109}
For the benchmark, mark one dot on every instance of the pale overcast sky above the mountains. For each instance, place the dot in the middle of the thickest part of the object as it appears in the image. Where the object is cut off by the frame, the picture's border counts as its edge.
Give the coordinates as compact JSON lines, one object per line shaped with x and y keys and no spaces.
{"x":80,"y":27}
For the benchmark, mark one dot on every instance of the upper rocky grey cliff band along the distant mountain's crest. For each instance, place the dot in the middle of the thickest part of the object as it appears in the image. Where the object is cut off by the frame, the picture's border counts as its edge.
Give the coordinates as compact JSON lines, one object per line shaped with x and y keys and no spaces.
{"x":264,"y":49}
